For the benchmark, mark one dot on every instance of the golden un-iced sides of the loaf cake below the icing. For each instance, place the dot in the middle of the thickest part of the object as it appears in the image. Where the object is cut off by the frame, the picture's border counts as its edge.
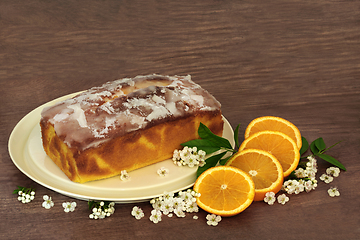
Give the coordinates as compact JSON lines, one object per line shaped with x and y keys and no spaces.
{"x":129,"y":152}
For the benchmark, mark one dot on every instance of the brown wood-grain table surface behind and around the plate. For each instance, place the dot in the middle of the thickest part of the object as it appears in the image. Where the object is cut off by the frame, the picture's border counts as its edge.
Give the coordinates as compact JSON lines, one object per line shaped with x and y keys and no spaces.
{"x":299,"y":60}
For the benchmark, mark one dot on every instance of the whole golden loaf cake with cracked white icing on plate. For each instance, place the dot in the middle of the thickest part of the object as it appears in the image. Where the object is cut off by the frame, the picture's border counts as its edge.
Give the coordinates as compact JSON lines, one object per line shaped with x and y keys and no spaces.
{"x":125,"y":125}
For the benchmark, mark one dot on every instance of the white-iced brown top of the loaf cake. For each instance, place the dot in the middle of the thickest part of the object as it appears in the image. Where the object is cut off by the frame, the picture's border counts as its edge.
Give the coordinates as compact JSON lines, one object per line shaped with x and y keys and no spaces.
{"x":125,"y":105}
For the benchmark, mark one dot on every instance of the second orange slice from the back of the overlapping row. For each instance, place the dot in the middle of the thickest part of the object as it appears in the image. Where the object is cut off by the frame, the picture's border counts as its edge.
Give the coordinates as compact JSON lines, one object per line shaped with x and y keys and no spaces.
{"x":278,"y":144}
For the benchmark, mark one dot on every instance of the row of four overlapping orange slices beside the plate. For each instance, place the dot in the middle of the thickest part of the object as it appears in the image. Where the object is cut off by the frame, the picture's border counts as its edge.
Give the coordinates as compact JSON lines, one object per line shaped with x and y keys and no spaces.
{"x":269,"y":153}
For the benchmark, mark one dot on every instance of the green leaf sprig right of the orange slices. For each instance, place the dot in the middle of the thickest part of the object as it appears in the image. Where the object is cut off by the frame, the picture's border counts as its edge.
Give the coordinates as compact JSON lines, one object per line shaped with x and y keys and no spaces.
{"x":318,"y":147}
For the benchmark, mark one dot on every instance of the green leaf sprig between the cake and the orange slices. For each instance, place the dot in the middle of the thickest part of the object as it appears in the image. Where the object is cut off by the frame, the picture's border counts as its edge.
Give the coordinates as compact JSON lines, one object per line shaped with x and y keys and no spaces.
{"x":211,"y":143}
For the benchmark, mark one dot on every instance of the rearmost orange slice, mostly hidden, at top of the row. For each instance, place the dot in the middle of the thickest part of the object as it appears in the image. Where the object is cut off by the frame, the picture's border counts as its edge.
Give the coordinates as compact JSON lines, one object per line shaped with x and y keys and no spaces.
{"x":274,"y":124}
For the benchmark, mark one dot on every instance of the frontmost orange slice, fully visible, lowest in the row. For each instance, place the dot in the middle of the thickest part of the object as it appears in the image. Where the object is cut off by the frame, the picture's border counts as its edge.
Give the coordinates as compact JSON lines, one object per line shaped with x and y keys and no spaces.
{"x":225,"y":191}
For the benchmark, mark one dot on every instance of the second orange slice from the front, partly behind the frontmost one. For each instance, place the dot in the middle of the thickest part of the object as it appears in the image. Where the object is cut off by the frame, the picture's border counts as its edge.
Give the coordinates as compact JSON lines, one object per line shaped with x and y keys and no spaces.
{"x":263,"y":168}
